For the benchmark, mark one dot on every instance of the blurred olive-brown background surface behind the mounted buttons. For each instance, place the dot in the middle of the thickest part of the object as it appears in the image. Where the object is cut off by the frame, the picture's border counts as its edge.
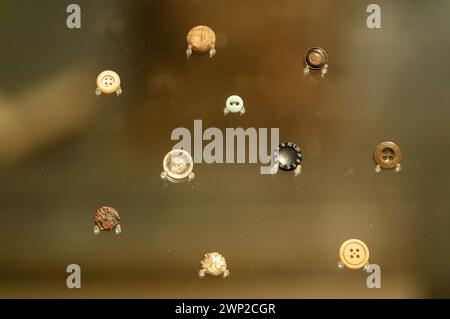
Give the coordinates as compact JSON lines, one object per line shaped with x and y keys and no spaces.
{"x":64,"y":152}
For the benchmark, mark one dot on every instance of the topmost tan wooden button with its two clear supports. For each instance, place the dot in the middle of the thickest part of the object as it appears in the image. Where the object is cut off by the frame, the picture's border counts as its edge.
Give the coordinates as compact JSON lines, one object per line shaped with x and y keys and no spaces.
{"x":201,"y":38}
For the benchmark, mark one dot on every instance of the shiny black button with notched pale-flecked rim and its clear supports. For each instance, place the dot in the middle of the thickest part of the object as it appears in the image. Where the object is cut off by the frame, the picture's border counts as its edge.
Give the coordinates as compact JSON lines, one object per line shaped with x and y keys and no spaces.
{"x":287,"y":157}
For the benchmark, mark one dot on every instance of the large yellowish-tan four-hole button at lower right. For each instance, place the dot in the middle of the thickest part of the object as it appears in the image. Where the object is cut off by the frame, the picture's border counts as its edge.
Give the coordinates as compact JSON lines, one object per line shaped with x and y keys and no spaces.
{"x":354,"y":254}
